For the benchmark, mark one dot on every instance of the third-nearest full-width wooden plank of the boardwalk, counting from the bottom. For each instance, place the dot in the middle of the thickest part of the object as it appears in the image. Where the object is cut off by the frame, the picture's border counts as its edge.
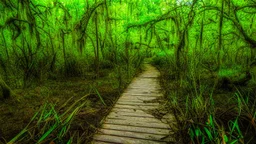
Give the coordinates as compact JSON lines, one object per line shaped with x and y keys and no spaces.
{"x":136,"y":129}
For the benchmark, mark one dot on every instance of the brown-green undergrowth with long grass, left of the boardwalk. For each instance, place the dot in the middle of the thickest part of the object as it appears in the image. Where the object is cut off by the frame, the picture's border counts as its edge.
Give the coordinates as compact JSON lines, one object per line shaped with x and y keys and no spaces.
{"x":63,"y":109}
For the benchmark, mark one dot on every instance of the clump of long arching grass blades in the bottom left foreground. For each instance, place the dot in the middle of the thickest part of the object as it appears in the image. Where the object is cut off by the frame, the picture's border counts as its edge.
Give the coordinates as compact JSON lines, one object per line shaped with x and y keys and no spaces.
{"x":50,"y":124}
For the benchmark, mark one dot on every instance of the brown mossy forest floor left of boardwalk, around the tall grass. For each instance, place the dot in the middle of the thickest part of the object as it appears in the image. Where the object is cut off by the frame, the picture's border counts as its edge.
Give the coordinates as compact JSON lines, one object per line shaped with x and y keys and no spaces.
{"x":16,"y":113}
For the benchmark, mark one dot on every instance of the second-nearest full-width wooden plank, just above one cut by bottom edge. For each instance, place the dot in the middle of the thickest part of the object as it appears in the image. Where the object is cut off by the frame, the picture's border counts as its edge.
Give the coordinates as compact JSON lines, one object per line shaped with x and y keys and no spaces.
{"x":131,"y":134}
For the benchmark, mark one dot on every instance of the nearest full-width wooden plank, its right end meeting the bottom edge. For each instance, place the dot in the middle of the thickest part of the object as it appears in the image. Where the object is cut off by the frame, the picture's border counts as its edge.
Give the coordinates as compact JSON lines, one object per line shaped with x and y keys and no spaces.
{"x":124,"y":140}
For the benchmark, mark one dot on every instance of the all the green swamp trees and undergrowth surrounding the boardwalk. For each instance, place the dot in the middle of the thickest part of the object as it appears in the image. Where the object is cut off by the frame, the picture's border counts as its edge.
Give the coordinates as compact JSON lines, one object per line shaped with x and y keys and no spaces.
{"x":64,"y":63}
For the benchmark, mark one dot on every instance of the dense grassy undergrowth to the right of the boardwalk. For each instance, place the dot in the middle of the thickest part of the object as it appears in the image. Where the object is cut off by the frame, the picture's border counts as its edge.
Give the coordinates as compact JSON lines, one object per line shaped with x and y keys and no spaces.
{"x":210,"y":107}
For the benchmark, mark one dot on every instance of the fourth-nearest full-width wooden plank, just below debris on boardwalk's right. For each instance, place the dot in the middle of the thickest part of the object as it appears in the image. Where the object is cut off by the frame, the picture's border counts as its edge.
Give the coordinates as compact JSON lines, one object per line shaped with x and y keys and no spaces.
{"x":128,"y":122}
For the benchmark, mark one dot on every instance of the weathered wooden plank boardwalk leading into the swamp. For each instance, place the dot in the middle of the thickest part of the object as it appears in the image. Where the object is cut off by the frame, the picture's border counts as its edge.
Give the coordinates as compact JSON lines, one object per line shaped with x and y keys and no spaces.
{"x":130,"y":121}
